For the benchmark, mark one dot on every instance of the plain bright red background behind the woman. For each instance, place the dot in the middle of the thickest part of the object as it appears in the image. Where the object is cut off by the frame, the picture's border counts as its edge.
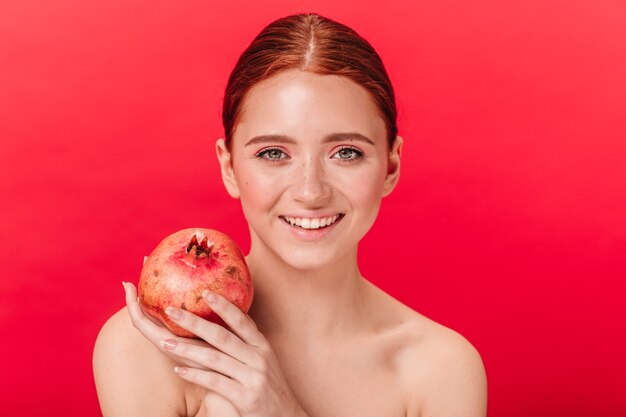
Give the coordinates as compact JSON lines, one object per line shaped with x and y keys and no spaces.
{"x":508,"y":224}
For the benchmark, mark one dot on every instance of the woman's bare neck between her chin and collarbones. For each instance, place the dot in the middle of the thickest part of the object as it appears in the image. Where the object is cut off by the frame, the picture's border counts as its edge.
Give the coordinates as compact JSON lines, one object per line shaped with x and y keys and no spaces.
{"x":309,"y":305}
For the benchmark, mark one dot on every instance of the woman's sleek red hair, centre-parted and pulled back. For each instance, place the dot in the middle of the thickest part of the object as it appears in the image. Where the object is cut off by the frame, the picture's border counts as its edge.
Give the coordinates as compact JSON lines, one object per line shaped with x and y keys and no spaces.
{"x":309,"y":42}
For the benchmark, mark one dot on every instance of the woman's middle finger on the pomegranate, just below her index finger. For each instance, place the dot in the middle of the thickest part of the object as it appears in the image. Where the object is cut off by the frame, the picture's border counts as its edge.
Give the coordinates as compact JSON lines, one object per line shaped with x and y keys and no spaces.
{"x":214,"y":334}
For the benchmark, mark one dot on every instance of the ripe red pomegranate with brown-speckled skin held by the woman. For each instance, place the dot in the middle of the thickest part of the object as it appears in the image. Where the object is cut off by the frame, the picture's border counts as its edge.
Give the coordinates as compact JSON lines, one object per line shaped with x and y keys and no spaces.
{"x":180,"y":268}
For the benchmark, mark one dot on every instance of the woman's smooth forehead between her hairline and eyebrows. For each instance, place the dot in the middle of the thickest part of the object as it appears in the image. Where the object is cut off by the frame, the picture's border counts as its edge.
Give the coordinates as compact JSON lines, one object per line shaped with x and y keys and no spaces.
{"x":305,"y":105}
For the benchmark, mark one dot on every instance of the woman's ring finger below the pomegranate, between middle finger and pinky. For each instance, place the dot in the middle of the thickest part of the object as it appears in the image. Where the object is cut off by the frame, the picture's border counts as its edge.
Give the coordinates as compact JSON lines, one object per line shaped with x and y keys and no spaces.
{"x":210,"y":358}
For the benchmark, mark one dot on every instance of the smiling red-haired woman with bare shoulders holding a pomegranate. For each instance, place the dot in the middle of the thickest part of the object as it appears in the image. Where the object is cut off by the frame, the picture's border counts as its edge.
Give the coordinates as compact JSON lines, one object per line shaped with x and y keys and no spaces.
{"x":310,"y":149}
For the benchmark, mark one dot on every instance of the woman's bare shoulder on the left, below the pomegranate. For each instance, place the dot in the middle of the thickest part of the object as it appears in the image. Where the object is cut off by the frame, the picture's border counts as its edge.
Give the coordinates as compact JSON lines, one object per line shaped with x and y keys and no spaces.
{"x":132,"y":376}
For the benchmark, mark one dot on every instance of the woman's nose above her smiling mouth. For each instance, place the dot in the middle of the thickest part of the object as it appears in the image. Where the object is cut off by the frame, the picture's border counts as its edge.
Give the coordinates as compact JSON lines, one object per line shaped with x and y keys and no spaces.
{"x":310,"y":185}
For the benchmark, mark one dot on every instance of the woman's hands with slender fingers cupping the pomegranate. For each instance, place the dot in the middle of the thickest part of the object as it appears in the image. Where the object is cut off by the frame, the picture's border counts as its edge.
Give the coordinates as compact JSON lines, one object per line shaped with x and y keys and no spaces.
{"x":239,"y":364}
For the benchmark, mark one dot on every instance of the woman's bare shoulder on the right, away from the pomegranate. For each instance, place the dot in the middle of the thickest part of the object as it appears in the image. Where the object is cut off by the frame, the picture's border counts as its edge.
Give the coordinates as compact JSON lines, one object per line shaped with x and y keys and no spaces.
{"x":441,"y":371}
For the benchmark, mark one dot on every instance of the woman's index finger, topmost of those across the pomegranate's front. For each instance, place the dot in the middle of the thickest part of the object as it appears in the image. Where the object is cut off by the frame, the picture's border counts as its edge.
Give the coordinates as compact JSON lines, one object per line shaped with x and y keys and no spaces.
{"x":240,"y":323}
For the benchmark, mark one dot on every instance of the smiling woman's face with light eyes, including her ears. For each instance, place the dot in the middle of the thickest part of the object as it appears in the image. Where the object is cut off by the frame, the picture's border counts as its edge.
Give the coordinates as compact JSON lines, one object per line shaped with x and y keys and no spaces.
{"x":310,"y":162}
